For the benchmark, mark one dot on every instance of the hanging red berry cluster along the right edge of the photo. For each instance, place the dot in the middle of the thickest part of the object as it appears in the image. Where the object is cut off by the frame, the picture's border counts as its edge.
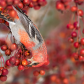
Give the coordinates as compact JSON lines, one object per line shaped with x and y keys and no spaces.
{"x":75,"y":26}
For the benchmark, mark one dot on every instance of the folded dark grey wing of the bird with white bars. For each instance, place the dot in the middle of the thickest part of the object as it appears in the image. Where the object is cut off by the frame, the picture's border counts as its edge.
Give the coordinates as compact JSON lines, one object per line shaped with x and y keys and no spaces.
{"x":28,"y":25}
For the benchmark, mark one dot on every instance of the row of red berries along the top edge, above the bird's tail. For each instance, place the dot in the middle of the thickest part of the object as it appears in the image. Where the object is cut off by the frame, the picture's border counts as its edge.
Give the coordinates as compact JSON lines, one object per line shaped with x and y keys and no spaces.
{"x":23,"y":4}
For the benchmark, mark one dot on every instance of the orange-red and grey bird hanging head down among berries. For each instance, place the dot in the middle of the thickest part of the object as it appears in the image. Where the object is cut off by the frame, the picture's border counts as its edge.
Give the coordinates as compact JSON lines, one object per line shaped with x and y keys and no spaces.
{"x":26,"y":33}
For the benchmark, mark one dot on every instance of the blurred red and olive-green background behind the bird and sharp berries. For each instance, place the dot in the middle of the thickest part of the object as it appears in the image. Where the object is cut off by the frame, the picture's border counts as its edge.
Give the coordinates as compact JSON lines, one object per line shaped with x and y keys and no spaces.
{"x":62,"y":68}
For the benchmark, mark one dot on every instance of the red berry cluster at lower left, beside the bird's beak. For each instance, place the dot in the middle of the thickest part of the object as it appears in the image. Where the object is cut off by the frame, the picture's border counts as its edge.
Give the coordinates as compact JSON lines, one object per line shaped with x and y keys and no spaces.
{"x":17,"y":56}
